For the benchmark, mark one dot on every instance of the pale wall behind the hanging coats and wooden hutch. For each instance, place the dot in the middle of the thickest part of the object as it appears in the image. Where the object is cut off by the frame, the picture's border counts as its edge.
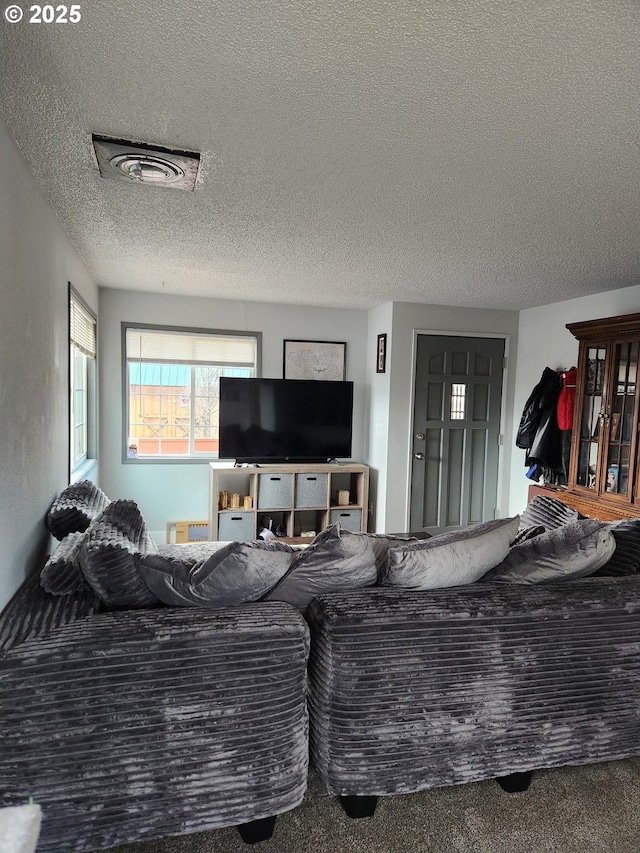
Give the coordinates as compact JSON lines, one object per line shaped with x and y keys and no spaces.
{"x":544,"y":341}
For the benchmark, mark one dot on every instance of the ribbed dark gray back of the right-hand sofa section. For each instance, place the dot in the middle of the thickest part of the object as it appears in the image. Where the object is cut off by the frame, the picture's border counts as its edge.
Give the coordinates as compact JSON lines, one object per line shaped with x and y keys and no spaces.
{"x":410,"y":690}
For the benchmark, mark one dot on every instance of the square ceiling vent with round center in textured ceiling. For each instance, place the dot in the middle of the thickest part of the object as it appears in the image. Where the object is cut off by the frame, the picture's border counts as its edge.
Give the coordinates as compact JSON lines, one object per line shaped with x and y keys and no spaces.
{"x":136,"y":162}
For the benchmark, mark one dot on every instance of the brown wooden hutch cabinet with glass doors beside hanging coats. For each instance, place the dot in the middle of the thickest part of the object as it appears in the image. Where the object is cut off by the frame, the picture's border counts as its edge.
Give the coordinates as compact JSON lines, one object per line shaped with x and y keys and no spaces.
{"x":604,"y":473}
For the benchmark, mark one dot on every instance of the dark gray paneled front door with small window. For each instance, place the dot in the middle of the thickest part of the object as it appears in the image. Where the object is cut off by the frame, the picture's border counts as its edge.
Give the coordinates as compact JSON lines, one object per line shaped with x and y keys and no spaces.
{"x":456,"y":428}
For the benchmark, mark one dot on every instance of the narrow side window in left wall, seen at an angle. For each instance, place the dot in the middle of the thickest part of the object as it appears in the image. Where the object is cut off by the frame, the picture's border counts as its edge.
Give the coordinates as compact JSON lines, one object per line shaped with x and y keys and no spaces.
{"x":82,"y":386}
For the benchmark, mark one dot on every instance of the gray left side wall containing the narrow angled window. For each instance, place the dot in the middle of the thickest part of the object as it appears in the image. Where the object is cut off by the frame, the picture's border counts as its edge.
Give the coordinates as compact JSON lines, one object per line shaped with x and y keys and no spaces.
{"x":37,"y":260}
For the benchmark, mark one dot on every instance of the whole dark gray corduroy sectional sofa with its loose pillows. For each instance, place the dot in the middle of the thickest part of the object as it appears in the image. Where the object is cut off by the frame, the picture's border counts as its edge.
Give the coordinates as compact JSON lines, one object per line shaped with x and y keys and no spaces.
{"x":142,"y":695}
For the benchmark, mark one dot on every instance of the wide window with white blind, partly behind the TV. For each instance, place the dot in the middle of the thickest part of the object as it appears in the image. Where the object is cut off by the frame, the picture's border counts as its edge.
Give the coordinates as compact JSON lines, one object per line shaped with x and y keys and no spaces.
{"x":172,"y":387}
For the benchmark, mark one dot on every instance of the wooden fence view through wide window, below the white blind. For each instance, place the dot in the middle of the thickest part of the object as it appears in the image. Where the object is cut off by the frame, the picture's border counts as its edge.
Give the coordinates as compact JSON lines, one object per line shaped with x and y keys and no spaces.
{"x":173,"y":408}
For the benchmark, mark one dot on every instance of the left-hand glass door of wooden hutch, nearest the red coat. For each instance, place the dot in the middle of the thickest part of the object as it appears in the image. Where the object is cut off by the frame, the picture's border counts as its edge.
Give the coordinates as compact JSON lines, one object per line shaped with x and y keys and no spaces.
{"x":591,"y":416}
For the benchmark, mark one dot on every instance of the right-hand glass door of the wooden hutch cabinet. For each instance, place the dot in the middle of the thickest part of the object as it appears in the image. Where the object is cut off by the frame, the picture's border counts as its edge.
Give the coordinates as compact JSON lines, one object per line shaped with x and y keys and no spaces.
{"x":619,"y":417}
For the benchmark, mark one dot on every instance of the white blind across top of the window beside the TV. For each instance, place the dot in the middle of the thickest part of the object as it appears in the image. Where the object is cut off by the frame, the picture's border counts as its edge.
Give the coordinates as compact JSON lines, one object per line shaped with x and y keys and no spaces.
{"x":176,"y":347}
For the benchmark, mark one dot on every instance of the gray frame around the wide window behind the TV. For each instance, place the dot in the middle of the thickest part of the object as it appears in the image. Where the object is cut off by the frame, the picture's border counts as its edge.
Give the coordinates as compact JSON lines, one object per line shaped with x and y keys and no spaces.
{"x":198,"y":457}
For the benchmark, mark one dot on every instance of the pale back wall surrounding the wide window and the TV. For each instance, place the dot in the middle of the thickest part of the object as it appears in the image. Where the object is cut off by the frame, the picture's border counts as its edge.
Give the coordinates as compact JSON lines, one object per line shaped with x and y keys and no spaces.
{"x":179,"y":491}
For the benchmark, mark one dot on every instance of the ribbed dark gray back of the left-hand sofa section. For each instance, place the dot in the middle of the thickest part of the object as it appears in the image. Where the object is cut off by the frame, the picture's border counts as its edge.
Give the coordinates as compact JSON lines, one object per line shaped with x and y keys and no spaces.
{"x":141,"y":724}
